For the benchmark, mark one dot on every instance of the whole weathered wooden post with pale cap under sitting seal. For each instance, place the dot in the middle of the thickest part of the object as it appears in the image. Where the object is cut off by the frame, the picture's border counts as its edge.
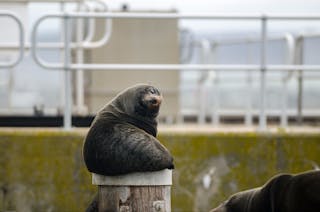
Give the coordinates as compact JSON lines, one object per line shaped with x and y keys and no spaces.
{"x":140,"y":191}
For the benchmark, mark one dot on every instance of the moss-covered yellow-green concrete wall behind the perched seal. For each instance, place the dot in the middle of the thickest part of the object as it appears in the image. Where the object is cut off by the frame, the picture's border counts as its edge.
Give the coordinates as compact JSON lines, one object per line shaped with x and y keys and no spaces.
{"x":44,"y":171}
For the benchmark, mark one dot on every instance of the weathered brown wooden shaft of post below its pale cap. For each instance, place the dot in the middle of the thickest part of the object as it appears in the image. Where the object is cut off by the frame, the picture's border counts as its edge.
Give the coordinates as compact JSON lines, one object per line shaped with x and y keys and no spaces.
{"x":134,"y":198}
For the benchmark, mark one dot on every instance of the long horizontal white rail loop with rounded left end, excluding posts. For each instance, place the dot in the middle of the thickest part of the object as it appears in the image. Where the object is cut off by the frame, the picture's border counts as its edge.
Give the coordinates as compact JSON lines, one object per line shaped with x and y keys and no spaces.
{"x":155,"y":66}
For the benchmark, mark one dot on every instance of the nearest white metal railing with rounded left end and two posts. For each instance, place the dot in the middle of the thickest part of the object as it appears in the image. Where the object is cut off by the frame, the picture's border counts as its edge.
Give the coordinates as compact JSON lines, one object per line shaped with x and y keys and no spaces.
{"x":263,"y":67}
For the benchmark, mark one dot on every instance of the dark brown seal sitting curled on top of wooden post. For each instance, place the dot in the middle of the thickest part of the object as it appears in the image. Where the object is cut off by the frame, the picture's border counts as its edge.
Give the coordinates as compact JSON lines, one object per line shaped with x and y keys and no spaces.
{"x":122,"y":137}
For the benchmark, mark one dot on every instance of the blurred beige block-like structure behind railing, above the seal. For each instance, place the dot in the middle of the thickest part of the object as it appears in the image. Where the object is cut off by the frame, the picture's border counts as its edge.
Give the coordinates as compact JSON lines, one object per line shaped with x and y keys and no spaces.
{"x":136,"y":41}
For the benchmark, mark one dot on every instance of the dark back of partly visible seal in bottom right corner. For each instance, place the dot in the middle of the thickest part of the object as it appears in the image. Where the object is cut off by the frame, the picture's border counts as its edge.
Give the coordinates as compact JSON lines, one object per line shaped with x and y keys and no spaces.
{"x":283,"y":193}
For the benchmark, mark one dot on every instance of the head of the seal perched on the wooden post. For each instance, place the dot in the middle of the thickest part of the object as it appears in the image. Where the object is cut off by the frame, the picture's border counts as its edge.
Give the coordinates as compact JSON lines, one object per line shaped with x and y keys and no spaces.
{"x":140,"y":100}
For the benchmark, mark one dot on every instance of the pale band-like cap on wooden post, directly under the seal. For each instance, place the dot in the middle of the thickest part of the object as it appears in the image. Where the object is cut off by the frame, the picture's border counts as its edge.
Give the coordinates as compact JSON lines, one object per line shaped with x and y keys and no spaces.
{"x":163,"y":177}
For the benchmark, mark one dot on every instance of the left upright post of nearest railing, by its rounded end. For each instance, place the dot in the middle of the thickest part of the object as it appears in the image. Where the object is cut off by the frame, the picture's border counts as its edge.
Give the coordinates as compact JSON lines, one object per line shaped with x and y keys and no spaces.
{"x":68,"y":77}
